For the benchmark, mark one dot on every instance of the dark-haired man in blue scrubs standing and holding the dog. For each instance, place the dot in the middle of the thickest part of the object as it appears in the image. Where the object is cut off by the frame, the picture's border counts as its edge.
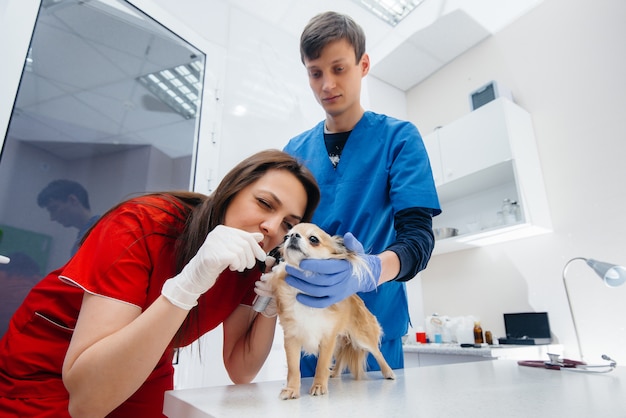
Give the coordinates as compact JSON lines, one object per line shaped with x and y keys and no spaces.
{"x":377,"y":187}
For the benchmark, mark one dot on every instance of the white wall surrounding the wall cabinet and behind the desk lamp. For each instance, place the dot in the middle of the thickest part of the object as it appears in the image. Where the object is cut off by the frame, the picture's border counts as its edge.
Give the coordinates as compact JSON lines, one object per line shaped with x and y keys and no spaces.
{"x":564,"y":63}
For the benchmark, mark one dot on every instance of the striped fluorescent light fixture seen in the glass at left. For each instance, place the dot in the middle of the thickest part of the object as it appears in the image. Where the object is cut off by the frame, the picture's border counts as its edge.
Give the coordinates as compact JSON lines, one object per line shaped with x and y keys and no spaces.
{"x":177,"y":87}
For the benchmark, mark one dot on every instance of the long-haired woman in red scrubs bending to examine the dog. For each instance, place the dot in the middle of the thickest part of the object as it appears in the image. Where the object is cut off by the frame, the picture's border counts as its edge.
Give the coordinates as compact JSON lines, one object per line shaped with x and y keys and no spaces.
{"x":96,"y":337}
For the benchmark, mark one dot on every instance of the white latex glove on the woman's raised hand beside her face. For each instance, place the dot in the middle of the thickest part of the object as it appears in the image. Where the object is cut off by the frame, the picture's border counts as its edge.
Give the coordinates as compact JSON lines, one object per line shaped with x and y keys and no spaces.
{"x":224,"y":247}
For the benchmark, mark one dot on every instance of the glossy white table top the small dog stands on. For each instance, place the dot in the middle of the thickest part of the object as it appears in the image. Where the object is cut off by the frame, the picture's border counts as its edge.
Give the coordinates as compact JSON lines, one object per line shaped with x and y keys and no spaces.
{"x":479,"y":389}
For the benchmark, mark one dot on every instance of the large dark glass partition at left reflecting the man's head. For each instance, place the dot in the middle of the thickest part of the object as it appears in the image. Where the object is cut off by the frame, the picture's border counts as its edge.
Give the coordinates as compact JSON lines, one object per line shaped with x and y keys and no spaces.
{"x":106,"y":108}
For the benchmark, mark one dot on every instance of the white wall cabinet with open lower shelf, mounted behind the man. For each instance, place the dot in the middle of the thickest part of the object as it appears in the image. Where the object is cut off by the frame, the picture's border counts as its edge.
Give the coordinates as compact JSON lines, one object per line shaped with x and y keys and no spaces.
{"x":487,"y":172}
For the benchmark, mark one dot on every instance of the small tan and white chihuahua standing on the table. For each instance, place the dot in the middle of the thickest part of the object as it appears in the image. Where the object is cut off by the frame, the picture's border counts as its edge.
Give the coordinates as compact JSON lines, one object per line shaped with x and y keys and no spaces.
{"x":346,"y":331}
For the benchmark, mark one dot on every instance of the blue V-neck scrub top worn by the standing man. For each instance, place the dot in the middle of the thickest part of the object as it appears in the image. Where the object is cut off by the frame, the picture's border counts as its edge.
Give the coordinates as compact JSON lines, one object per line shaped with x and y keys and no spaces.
{"x":384,"y":168}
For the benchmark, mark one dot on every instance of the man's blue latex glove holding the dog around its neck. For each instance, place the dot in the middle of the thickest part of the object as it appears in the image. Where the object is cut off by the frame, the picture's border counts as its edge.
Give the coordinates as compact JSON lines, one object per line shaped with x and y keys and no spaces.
{"x":326,"y":282}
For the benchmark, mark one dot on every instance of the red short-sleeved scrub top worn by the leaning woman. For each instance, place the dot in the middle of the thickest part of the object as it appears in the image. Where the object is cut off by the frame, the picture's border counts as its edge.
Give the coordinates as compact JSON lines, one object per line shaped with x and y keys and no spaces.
{"x":127,"y":256}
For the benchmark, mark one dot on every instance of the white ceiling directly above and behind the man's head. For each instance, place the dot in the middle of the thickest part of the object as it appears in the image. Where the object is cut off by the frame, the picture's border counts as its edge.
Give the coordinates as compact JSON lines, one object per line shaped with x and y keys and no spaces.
{"x":435,"y":33}
